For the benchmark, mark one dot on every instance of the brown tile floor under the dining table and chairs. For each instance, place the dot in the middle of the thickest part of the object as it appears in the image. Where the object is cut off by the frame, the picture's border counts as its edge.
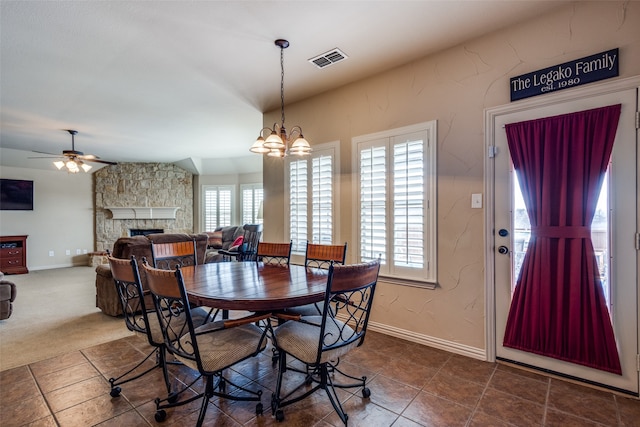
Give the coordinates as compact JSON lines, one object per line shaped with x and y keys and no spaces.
{"x":411,"y":385}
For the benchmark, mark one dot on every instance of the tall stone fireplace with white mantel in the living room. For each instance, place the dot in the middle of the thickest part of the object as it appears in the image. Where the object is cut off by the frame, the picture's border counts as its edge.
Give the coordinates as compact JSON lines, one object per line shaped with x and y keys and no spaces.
{"x":142,"y":196}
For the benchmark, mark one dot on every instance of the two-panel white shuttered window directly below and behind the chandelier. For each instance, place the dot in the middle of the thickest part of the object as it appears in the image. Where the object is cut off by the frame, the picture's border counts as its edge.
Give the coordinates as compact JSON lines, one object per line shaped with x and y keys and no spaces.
{"x":311,"y":189}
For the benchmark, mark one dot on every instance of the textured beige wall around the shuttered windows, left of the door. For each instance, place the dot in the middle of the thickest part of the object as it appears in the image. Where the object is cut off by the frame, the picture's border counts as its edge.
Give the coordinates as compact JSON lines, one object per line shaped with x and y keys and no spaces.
{"x":453,"y":87}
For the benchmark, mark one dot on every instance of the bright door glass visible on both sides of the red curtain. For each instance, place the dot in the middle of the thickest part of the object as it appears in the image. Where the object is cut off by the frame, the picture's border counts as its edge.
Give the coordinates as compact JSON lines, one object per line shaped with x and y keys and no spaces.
{"x":600,"y":235}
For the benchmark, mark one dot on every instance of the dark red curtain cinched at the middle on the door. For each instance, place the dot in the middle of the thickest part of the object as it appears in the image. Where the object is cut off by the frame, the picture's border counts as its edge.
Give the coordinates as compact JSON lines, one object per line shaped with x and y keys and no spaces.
{"x":558,"y":308}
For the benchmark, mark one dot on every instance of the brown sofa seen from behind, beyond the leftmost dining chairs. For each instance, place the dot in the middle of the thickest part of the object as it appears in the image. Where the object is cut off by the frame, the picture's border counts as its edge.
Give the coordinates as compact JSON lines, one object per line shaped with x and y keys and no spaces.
{"x":107,"y":298}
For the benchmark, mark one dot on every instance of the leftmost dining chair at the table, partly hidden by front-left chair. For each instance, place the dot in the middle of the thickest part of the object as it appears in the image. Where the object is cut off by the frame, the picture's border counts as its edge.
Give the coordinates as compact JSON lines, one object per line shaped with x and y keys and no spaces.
{"x":141,"y":320}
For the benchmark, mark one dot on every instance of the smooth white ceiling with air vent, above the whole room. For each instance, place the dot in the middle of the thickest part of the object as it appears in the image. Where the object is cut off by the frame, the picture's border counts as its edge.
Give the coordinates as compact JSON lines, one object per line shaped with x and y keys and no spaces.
{"x":188,"y":81}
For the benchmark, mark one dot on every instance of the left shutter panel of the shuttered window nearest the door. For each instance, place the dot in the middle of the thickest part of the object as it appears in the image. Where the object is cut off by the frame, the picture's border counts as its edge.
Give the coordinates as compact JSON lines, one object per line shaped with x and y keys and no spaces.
{"x":373,"y":199}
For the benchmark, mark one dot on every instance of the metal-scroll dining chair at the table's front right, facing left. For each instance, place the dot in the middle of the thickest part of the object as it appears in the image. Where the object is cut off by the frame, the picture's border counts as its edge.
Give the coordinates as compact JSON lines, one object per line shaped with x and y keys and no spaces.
{"x":320,"y":341}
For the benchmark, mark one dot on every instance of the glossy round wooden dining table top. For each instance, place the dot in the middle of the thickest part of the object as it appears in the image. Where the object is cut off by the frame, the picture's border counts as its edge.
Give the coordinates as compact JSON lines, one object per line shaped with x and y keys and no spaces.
{"x":253,"y":286}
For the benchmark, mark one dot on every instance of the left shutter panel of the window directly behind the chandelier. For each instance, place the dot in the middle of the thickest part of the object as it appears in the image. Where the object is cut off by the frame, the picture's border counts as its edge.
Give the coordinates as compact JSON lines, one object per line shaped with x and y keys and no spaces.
{"x":298,"y":205}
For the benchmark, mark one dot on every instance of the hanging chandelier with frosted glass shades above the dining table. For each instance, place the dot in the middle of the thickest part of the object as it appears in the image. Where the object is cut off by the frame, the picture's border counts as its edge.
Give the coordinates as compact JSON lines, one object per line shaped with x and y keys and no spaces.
{"x":278,"y":143}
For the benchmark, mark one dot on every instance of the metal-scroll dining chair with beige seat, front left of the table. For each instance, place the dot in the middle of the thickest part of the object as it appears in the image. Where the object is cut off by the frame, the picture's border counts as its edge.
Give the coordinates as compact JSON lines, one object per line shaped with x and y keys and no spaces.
{"x":208,"y":349}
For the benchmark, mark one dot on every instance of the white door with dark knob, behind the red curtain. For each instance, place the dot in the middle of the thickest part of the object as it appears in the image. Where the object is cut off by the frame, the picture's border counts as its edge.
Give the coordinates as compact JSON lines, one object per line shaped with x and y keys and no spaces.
{"x":623,"y":225}
